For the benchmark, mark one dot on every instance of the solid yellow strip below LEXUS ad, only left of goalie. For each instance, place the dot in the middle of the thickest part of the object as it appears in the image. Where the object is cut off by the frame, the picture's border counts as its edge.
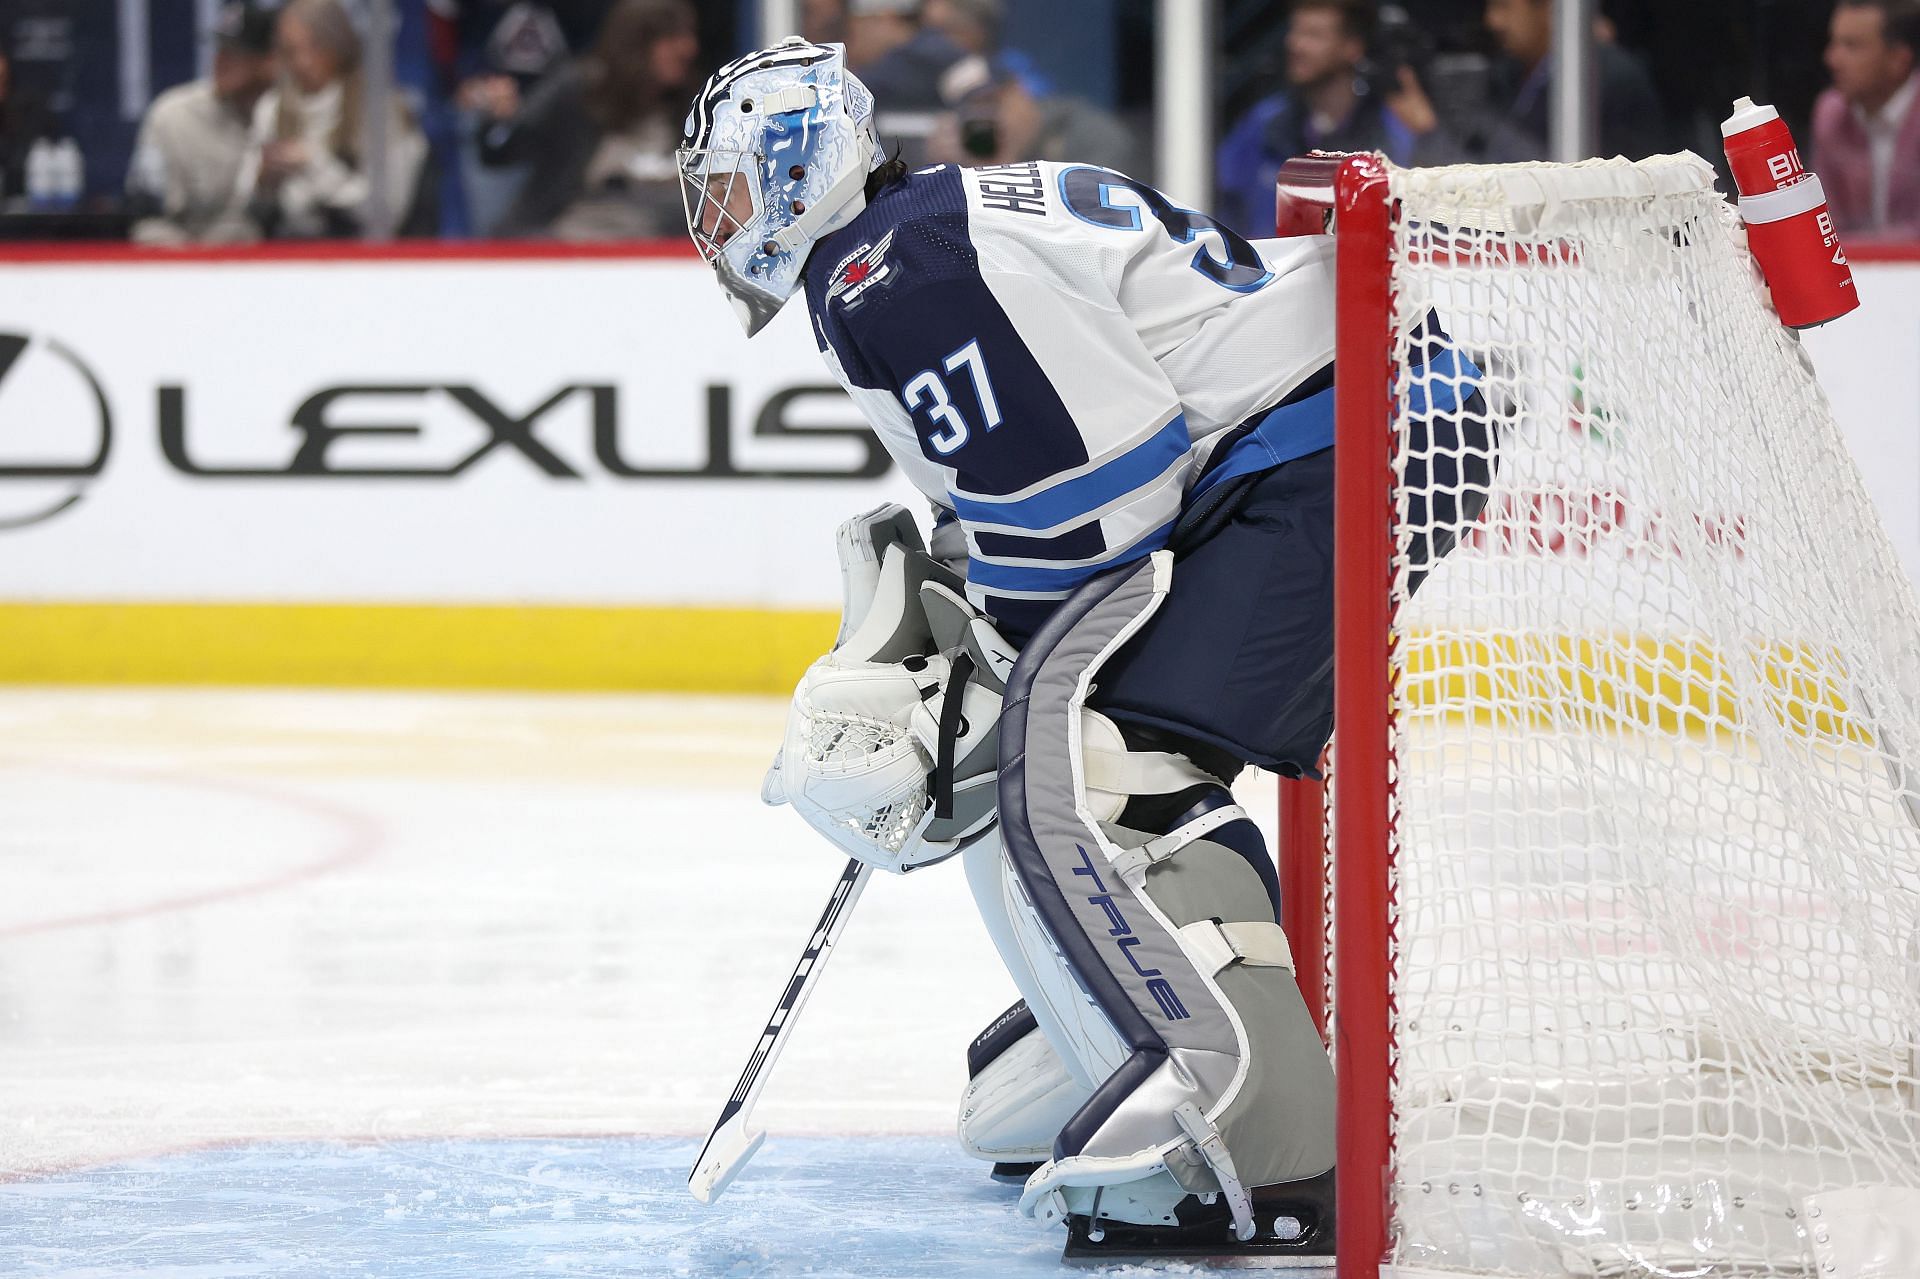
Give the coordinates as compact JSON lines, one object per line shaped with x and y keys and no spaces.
{"x":412,"y":646}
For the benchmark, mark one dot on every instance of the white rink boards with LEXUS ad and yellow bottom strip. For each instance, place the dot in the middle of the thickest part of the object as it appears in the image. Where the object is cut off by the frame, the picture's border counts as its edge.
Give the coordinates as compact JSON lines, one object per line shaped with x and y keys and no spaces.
{"x":487,"y":470}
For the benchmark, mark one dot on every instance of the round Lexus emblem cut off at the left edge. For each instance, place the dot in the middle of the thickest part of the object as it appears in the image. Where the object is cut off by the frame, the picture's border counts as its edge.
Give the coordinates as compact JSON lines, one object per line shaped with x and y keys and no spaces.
{"x":57,"y":429}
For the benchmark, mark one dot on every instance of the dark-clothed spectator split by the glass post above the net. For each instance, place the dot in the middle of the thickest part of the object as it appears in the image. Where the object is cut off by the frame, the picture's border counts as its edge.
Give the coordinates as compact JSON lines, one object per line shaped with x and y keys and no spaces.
{"x":1631,"y":120}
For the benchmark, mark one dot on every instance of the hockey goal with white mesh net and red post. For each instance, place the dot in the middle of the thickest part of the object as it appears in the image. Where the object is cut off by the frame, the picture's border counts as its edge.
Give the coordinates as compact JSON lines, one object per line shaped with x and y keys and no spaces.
{"x":1625,"y":929}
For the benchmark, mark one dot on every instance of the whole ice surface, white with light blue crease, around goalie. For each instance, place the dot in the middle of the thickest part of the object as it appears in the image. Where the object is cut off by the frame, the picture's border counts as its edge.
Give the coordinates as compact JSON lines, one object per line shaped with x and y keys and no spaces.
{"x":320,"y":984}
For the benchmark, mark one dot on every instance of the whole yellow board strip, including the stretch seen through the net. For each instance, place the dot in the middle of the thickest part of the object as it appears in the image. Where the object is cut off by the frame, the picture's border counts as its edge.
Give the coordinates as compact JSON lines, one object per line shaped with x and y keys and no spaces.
{"x":1641,"y":683}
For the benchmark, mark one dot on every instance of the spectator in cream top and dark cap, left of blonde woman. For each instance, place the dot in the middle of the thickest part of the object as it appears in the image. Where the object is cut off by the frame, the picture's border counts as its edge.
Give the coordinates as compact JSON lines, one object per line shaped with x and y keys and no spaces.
{"x":195,"y":139}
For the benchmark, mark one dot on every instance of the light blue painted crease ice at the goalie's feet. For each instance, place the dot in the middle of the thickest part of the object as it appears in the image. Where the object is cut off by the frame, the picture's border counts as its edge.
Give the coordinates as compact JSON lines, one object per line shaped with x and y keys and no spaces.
{"x":901,"y":1207}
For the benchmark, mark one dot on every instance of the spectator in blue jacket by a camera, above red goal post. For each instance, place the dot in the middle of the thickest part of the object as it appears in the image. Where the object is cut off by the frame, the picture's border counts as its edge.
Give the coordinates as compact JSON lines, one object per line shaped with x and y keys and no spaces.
{"x":1326,"y":107}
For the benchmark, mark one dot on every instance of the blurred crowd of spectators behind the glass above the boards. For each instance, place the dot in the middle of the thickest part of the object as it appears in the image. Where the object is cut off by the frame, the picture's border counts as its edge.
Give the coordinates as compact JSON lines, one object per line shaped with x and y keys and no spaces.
{"x":560,"y":118}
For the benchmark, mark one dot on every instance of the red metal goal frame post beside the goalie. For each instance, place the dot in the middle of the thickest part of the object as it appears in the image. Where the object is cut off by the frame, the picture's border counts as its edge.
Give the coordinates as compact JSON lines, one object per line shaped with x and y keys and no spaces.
{"x":1349,"y":195}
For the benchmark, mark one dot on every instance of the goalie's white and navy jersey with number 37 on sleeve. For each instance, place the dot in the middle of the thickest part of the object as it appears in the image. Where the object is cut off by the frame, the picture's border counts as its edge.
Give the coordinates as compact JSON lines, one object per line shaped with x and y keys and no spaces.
{"x":1063,"y":360}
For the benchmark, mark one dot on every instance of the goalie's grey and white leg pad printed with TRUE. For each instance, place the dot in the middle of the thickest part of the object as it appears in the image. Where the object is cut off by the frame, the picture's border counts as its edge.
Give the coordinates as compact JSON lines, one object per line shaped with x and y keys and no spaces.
{"x":1224,"y":1086}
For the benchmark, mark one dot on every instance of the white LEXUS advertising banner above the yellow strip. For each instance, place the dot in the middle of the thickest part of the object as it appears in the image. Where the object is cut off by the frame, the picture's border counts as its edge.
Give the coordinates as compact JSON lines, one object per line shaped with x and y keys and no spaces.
{"x":587,"y":433}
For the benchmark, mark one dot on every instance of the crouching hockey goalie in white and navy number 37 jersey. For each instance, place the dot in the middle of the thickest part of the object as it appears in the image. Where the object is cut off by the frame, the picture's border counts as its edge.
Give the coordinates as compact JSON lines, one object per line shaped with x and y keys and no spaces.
{"x":1122,"y":418}
